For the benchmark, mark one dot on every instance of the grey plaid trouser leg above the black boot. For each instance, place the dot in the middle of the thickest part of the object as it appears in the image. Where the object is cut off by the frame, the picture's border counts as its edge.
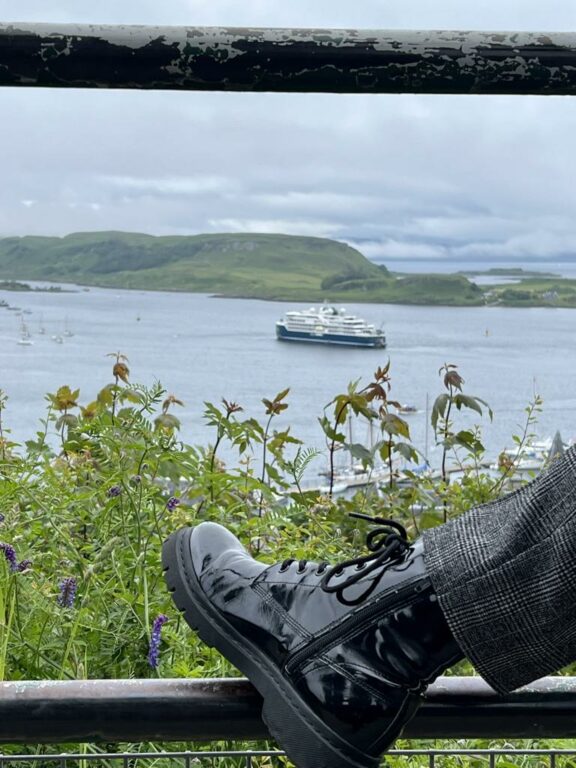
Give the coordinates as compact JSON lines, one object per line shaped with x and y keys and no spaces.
{"x":505,"y":576}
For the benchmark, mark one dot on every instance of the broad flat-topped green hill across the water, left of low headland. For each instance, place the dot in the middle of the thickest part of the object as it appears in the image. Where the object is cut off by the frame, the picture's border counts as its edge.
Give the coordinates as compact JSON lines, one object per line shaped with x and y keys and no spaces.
{"x":267,"y":266}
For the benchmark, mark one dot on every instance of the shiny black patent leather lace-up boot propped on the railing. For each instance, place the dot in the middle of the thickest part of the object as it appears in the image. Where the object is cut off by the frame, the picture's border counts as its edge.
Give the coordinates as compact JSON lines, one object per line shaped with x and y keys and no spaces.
{"x":341,"y":655}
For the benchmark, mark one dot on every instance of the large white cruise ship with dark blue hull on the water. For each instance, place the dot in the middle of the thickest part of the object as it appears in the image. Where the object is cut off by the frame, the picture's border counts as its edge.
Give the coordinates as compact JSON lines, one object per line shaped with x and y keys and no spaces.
{"x":329,"y":325}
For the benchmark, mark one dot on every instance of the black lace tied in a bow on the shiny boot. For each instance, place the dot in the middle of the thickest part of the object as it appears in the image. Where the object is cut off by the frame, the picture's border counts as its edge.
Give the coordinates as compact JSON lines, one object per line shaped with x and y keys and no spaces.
{"x":387,"y":544}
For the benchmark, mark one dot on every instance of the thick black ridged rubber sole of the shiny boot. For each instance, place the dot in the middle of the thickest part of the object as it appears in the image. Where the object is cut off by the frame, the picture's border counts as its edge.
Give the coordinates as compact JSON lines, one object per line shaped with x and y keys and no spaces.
{"x":307,"y":741}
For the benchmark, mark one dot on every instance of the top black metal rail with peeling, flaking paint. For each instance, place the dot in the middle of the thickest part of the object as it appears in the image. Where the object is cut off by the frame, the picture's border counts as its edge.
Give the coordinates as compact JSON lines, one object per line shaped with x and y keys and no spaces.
{"x":289,"y":60}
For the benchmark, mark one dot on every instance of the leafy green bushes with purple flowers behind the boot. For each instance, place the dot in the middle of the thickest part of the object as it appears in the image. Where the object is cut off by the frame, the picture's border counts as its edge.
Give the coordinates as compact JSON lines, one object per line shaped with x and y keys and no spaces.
{"x":88,"y":501}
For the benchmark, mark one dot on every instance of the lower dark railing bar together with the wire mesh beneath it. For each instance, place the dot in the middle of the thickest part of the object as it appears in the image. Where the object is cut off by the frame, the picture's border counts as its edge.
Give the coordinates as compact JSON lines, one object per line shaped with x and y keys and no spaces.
{"x":107,"y":715}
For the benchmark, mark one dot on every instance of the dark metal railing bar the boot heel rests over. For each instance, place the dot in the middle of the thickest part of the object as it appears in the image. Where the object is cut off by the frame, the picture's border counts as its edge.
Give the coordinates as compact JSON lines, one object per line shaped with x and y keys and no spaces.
{"x":206,"y":710}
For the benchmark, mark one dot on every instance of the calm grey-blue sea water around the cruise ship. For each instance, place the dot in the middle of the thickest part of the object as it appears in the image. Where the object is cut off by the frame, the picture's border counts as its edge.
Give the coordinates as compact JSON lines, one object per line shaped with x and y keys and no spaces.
{"x":203,"y":349}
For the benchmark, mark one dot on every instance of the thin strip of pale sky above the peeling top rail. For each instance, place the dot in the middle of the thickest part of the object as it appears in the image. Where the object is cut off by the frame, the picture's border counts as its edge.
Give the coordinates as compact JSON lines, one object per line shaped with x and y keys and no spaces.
{"x":443,"y":14}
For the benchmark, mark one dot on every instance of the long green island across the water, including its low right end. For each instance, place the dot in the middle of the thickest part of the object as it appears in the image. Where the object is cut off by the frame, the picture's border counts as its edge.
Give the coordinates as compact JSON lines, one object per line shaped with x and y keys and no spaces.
{"x":260,"y":266}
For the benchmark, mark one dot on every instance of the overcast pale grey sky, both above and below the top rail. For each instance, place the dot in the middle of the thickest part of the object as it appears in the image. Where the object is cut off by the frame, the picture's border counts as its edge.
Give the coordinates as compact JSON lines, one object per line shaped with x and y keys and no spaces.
{"x":402,"y":177}
